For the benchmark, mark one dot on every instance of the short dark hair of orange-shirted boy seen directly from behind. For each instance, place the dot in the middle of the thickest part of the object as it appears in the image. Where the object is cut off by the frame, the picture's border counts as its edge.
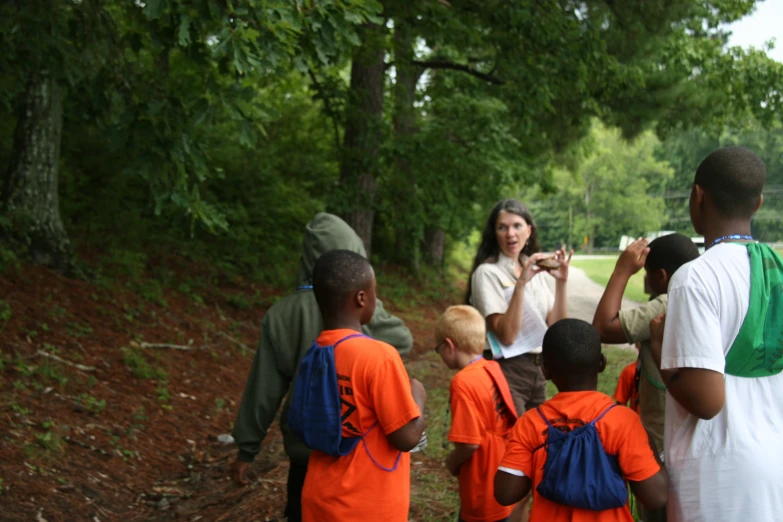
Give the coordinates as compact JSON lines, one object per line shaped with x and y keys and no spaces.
{"x":572,"y":347}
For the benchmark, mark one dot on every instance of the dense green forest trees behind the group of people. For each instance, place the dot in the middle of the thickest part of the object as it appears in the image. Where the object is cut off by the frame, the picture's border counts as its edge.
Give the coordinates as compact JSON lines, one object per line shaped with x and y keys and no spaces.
{"x":164,"y":152}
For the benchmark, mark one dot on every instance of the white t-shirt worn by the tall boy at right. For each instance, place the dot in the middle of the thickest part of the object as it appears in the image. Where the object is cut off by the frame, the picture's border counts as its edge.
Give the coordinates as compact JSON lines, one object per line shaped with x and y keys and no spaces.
{"x":728,"y":468}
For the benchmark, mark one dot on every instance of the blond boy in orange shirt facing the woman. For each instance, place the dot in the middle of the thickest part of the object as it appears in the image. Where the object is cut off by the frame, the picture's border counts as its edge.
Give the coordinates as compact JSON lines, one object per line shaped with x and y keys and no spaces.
{"x":482,"y":412}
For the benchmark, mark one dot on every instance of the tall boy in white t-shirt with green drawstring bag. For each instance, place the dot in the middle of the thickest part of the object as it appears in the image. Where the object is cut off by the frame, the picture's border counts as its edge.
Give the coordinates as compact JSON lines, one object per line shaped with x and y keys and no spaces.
{"x":724,"y":427}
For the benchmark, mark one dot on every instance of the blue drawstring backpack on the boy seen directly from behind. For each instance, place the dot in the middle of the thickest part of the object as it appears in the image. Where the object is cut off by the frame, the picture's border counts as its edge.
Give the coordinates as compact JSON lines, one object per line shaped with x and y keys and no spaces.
{"x":578,"y":472}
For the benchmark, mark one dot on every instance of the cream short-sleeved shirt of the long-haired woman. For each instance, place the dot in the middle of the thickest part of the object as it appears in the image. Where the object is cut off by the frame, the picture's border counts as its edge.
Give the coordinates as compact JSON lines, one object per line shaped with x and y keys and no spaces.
{"x":492,"y":287}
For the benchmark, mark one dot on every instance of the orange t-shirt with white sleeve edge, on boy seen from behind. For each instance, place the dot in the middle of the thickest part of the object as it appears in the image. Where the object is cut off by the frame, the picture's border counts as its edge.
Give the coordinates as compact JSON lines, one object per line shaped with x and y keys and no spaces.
{"x":621,"y":433}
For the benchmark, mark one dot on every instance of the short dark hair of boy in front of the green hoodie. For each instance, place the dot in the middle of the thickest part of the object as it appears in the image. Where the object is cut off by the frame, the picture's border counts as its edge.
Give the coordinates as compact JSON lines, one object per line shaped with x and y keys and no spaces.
{"x":337,"y":275}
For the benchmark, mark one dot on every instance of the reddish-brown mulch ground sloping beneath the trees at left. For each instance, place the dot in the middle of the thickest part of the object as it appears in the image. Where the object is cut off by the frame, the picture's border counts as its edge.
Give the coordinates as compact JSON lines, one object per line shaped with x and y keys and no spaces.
{"x":111,"y":404}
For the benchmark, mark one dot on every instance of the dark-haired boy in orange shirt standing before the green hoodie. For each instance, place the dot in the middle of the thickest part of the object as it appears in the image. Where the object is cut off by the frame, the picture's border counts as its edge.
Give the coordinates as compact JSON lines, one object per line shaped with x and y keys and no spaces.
{"x":380,"y":404}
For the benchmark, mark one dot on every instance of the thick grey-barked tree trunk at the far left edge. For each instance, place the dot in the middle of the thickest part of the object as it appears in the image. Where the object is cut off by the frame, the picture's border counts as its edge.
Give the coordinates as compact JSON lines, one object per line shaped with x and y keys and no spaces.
{"x":30,"y":195}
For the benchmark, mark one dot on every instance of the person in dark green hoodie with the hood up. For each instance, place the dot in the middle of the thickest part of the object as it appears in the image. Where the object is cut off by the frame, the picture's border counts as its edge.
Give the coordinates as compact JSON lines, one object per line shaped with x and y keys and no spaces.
{"x":287,"y":331}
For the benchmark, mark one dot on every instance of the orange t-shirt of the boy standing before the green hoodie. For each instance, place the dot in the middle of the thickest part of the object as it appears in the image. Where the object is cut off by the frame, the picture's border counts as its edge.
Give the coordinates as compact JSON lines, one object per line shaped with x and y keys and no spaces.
{"x":374,"y":388}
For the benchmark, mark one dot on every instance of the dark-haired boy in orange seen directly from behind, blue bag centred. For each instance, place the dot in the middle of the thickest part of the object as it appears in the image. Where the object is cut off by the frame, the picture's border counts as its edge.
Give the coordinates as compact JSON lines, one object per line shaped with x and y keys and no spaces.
{"x":572,"y":359}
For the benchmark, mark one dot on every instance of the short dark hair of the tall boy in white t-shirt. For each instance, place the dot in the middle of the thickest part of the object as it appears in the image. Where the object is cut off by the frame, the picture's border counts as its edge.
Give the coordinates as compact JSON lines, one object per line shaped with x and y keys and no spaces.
{"x":734,"y":178}
